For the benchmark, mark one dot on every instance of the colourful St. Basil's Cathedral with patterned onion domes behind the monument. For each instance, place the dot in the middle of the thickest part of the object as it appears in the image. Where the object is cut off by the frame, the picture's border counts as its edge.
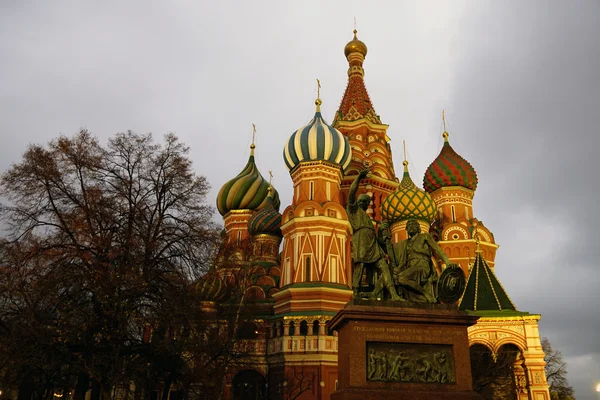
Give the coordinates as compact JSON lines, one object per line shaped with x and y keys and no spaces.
{"x":299,"y":260}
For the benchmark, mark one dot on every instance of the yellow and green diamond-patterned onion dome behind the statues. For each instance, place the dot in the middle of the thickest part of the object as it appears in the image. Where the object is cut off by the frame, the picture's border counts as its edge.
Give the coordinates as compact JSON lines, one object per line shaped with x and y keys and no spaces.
{"x":408,"y":201}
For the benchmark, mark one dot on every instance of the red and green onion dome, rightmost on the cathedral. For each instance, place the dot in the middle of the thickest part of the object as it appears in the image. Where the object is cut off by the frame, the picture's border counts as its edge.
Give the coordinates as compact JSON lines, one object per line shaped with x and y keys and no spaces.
{"x":449,"y":169}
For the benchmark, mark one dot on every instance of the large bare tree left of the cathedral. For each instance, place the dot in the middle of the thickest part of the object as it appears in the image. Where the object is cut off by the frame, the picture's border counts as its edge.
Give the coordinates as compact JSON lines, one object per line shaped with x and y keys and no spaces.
{"x":99,"y":241}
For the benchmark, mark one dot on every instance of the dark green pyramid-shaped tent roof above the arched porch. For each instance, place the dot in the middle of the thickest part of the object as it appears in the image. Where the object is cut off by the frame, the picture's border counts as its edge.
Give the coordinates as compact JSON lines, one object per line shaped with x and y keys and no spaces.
{"x":484,"y":292}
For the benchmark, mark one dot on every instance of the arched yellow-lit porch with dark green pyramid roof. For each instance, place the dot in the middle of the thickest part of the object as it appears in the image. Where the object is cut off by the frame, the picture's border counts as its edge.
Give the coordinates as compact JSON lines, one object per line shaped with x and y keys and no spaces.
{"x":501,"y":326}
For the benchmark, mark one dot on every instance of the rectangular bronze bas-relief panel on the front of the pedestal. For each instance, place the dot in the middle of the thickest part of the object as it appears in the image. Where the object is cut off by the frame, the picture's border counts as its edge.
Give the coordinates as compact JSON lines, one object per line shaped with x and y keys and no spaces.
{"x":410,"y":363}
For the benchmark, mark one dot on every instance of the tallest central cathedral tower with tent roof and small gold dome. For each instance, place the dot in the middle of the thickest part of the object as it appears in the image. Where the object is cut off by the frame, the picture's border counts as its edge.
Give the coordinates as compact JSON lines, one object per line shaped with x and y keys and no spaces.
{"x":357,"y":120}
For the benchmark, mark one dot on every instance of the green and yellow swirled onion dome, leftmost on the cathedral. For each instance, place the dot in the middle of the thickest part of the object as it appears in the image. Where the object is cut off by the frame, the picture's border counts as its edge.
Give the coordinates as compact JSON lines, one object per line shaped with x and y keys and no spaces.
{"x":247,"y":191}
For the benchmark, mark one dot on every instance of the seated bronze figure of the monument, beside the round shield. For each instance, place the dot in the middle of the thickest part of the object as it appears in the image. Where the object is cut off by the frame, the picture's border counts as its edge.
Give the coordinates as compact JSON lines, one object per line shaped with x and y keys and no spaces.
{"x":414,"y":271}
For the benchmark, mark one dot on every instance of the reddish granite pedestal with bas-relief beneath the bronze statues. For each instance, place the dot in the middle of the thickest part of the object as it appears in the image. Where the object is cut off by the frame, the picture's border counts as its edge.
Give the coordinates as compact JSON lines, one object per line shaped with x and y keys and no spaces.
{"x":402,"y":350}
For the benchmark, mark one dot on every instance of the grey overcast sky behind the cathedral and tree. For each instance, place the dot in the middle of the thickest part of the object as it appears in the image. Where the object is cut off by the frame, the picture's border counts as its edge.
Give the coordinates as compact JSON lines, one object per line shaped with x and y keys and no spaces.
{"x":520,"y":83}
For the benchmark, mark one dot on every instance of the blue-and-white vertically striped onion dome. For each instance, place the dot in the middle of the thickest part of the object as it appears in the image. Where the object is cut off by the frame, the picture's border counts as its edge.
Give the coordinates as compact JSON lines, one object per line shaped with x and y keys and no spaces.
{"x":315,"y":142}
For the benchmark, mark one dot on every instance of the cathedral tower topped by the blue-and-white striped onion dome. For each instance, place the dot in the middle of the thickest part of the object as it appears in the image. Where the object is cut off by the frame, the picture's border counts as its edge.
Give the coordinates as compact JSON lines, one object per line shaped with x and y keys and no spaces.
{"x":315,"y":258}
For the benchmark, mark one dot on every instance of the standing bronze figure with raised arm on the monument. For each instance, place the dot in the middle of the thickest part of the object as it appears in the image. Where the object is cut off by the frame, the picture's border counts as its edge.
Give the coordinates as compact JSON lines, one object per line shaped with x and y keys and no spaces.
{"x":366,"y":251}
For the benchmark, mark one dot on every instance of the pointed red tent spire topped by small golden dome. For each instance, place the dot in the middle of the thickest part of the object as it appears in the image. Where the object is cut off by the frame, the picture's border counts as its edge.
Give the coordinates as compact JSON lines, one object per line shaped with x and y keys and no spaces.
{"x":356,"y":103}
